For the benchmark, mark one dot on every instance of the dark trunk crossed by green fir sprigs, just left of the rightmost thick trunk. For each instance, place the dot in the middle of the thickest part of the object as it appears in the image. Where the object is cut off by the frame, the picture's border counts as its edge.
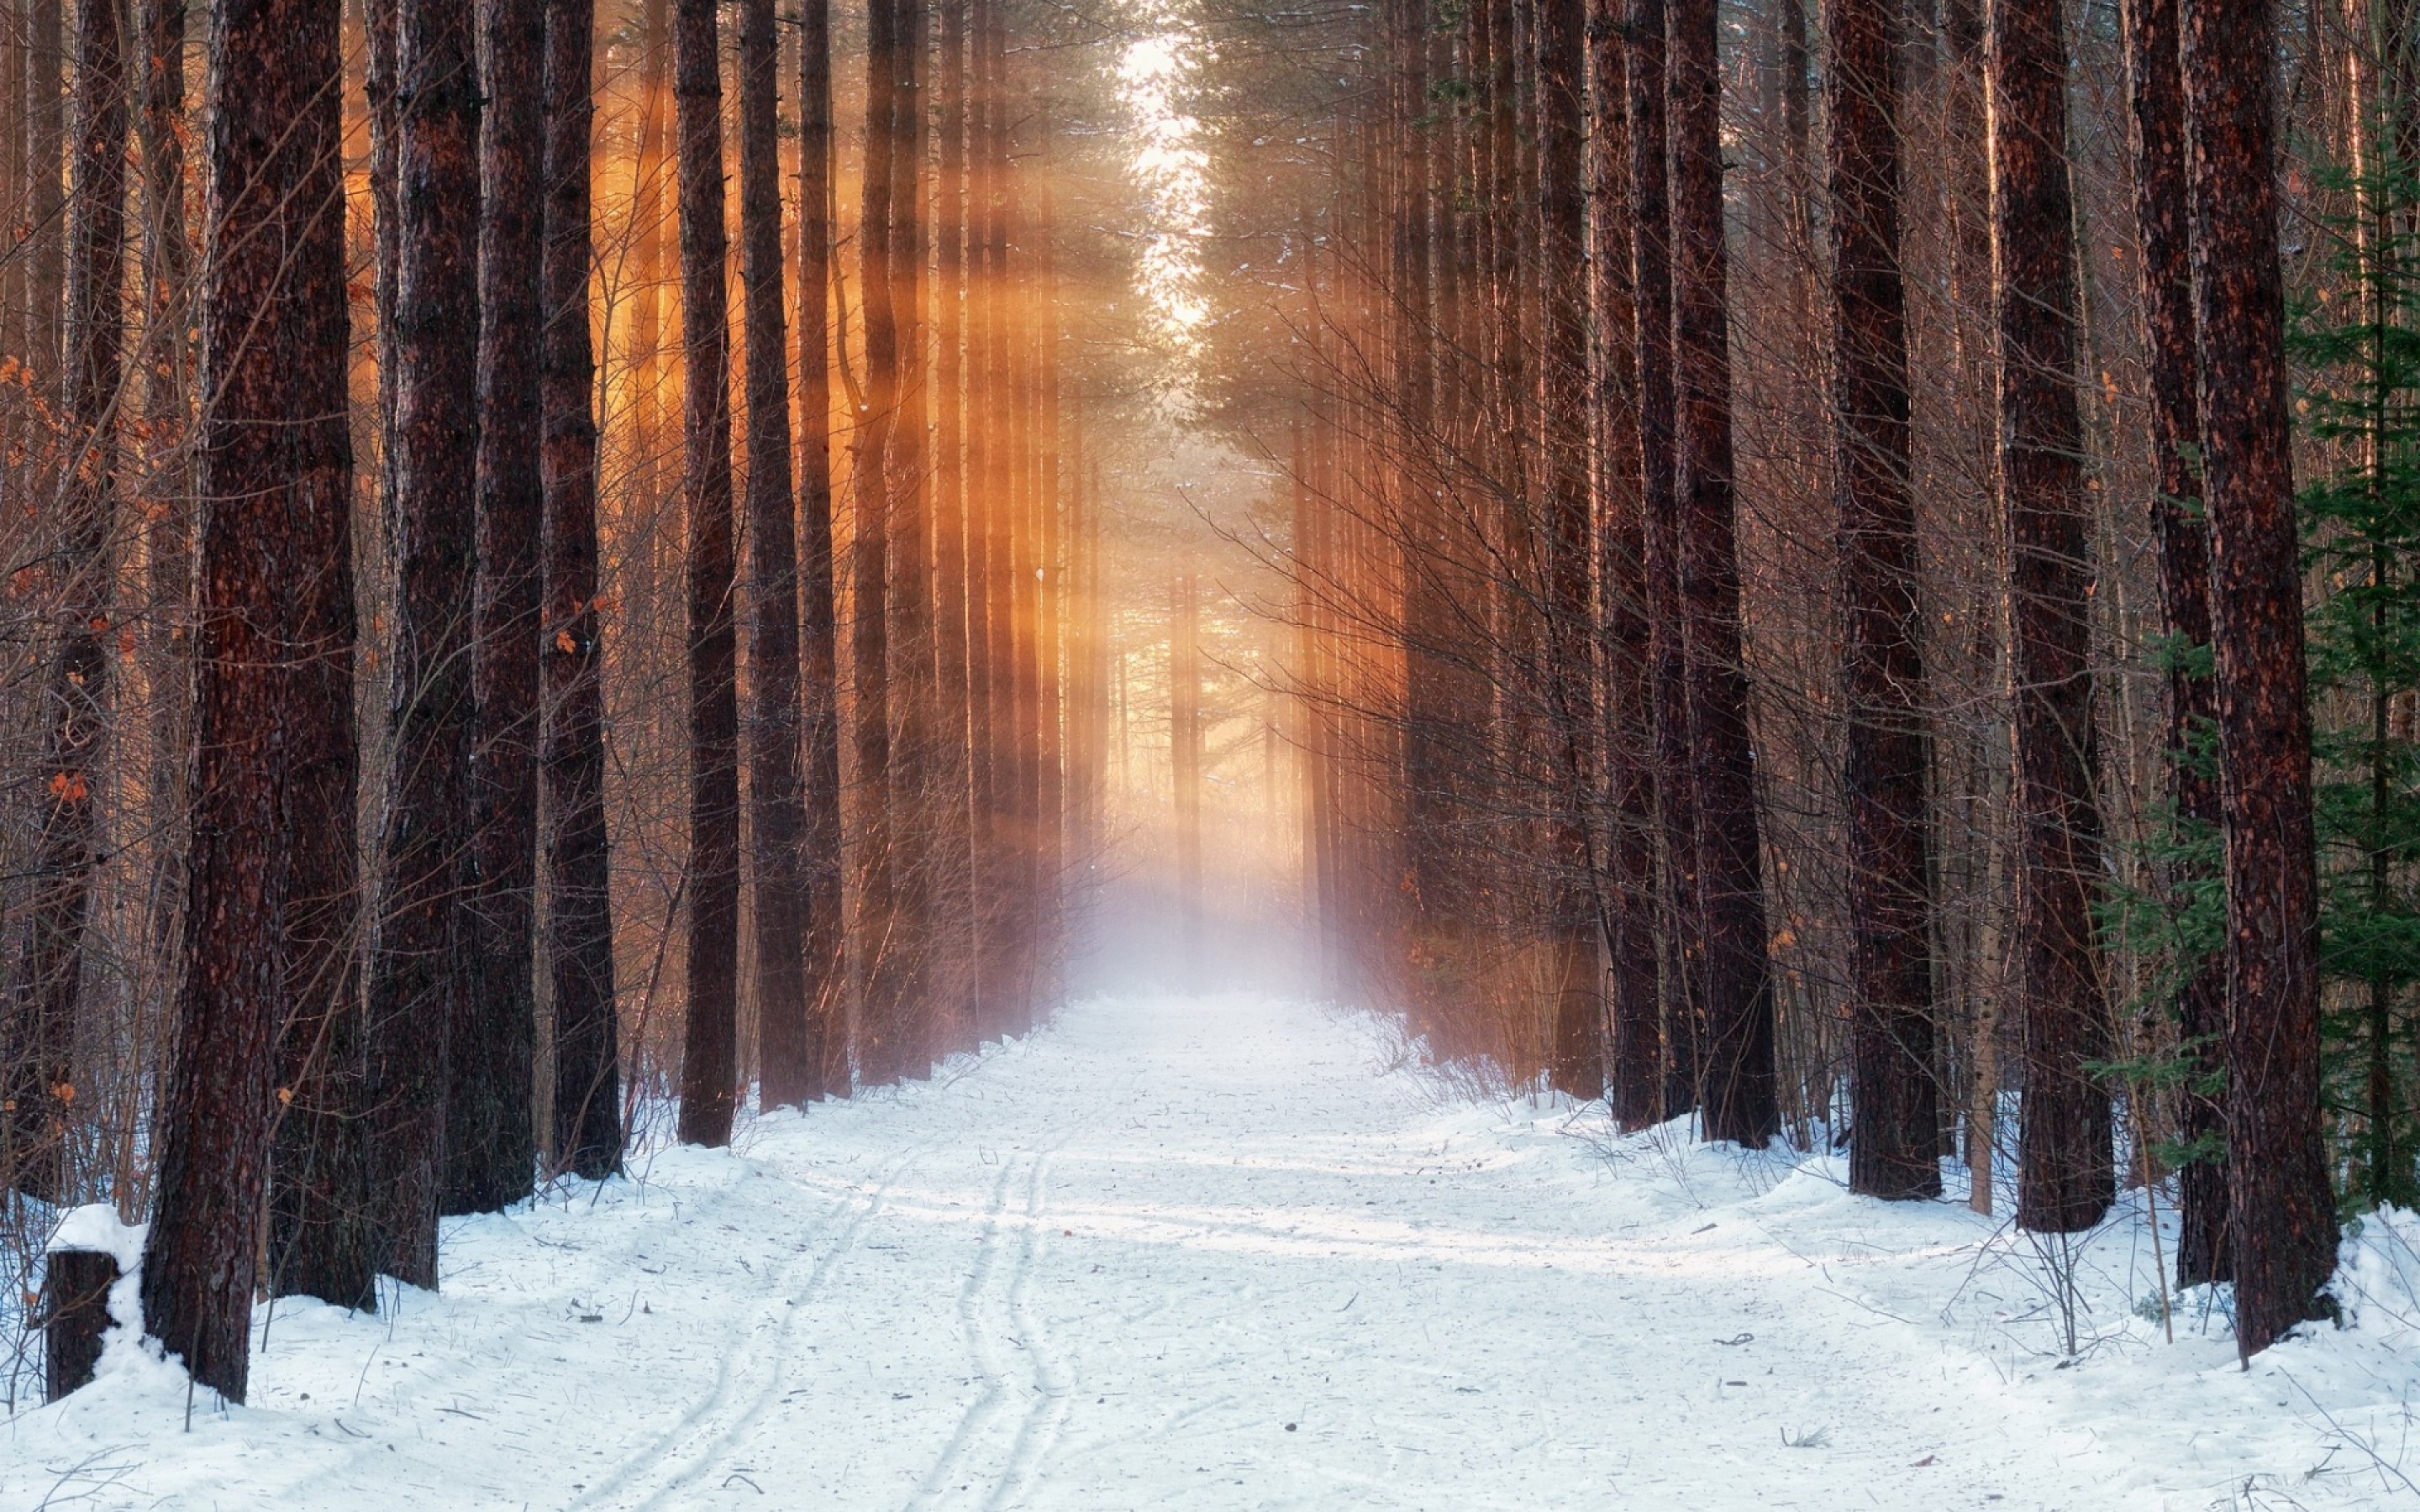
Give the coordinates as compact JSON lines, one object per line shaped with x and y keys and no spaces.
{"x":2162,"y":219}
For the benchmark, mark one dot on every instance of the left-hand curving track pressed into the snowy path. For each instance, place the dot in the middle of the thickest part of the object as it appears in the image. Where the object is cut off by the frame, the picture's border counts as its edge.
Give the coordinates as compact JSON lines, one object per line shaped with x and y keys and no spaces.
{"x":686,"y":1450}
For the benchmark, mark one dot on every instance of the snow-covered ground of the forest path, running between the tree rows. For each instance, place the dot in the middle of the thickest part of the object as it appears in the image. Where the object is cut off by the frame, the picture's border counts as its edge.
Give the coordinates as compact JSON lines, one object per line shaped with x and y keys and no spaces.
{"x":1216,"y":1254}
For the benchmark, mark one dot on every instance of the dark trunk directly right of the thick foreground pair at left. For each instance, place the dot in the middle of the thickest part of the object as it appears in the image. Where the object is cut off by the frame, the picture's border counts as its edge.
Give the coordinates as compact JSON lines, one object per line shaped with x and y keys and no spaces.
{"x":420,"y":962}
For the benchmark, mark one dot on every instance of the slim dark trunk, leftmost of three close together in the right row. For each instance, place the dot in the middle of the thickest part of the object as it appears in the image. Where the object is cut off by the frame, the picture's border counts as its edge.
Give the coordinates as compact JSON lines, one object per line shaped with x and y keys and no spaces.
{"x":1635,"y":1051}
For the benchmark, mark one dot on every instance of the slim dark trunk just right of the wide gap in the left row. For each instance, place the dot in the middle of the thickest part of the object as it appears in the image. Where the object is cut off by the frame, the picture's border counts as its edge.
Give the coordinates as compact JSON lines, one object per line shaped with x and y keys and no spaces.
{"x":710,"y":1046}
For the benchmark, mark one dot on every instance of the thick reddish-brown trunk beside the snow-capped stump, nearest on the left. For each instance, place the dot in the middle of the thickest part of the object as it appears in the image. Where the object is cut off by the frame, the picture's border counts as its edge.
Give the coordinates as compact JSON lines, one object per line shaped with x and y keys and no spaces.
{"x":275,"y":475}
